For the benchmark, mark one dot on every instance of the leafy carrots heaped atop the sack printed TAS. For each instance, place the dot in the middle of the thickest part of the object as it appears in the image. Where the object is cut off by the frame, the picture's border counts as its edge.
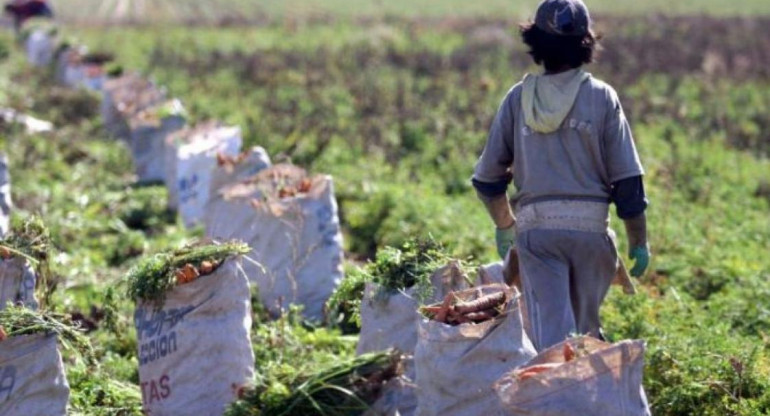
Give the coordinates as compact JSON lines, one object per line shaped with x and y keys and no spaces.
{"x":153,"y":277}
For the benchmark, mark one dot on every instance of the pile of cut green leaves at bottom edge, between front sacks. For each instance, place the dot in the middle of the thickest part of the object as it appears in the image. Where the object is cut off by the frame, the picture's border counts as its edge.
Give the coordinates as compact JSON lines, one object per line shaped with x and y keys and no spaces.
{"x":345,"y":389}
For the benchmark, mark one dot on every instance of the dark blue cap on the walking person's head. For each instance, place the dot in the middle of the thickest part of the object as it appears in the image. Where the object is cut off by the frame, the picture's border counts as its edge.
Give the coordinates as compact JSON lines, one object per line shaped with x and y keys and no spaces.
{"x":563,"y":17}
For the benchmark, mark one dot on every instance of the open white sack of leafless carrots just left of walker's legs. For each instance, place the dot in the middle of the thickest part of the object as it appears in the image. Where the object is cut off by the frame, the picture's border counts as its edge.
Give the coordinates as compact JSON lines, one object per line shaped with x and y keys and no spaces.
{"x":465,"y":343}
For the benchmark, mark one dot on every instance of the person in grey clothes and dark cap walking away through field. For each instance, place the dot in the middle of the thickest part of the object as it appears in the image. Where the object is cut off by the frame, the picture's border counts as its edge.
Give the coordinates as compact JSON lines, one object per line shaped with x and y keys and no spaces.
{"x":564,"y":141}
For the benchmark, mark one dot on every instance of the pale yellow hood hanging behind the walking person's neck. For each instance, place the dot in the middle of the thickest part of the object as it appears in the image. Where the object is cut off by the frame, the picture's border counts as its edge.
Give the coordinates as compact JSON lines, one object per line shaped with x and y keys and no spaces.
{"x":547,"y":99}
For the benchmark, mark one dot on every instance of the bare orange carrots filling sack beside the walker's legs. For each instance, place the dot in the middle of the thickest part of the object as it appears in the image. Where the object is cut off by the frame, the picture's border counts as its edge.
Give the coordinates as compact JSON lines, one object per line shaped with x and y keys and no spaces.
{"x":467,"y":306}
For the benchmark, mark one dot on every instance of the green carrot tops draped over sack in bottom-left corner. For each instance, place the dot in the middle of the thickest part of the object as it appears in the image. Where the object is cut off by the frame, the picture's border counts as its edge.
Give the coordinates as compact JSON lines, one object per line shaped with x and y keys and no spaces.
{"x":17,"y":321}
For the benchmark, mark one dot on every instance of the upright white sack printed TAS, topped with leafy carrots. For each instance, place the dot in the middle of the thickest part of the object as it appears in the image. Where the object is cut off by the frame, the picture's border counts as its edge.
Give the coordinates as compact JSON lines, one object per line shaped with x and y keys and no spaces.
{"x":193,"y":322}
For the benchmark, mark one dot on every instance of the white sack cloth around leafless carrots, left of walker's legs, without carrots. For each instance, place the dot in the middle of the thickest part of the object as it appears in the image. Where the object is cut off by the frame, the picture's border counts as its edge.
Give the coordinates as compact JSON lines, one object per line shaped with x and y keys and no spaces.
{"x":457,"y":366}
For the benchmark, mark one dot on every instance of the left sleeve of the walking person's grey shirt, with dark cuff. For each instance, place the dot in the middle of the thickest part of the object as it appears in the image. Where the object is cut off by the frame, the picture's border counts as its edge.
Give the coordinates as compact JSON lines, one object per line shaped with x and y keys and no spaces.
{"x":492,"y":174}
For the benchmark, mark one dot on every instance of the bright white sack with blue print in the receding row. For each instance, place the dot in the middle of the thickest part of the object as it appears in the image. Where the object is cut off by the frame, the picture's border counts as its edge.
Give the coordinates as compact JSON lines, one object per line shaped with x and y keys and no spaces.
{"x":191,"y":160}
